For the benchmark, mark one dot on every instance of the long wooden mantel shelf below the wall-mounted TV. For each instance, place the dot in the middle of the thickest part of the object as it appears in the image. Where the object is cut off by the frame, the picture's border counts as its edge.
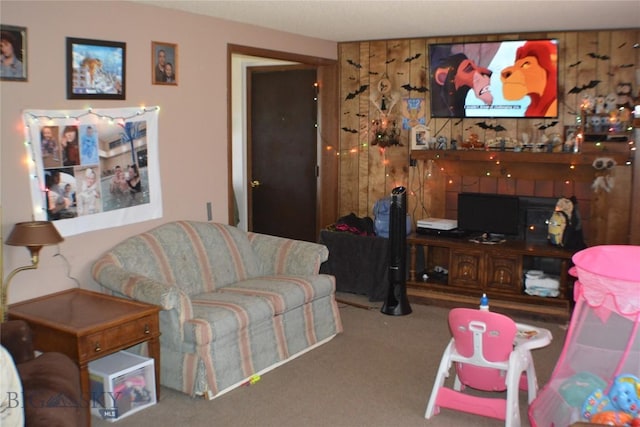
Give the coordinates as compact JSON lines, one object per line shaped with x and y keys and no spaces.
{"x":518,"y":157}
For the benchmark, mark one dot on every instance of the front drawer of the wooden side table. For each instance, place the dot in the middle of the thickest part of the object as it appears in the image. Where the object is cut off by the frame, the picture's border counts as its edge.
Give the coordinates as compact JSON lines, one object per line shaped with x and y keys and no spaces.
{"x":126,"y":333}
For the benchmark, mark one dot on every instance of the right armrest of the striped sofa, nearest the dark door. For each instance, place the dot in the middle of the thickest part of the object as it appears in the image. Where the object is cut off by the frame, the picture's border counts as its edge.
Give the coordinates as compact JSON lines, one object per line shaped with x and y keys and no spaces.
{"x":287,"y":256}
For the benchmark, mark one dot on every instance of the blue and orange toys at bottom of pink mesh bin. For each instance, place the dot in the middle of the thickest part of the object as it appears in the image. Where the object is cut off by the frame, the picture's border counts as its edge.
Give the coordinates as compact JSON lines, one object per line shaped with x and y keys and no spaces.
{"x":620,"y":407}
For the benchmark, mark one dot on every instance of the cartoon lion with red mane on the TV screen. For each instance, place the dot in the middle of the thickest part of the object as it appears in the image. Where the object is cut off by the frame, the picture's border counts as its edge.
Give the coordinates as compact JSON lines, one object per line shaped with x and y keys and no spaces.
{"x":534,"y":74}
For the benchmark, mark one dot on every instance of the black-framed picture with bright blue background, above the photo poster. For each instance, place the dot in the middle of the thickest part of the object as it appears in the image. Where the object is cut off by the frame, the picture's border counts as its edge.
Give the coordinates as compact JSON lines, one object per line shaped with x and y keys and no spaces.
{"x":96,"y":69}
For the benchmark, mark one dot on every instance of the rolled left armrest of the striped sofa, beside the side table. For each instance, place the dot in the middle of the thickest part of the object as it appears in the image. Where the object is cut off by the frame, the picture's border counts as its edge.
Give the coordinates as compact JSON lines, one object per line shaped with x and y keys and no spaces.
{"x":141,"y":288}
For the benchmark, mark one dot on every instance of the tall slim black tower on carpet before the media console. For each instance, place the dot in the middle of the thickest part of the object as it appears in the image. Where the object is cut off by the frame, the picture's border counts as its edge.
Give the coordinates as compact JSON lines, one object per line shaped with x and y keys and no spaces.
{"x":397,"y":303}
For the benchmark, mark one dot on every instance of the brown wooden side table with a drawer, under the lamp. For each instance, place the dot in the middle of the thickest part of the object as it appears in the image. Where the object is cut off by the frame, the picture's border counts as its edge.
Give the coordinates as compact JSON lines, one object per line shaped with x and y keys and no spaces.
{"x":88,"y":325}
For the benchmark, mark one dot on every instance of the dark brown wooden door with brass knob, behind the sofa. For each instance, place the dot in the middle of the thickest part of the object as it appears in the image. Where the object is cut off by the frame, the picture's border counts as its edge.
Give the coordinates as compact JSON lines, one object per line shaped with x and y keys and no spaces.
{"x":282,"y":151}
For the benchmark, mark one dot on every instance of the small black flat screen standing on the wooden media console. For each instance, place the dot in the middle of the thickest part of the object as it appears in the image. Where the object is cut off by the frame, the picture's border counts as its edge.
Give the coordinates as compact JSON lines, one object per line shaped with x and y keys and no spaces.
{"x":494,"y":214}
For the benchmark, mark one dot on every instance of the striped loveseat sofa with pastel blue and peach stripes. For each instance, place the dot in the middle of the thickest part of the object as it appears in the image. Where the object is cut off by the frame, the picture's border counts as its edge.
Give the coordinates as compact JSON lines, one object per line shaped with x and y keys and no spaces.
{"x":234,"y":304}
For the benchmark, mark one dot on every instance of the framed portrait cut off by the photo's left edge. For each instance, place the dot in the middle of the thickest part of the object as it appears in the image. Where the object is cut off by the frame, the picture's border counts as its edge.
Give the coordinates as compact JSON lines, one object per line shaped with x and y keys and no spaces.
{"x":13,"y":57}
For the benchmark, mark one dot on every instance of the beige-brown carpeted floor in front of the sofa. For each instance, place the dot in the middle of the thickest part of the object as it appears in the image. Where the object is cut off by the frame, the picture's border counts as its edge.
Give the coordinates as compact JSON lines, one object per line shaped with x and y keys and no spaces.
{"x":378,"y":373}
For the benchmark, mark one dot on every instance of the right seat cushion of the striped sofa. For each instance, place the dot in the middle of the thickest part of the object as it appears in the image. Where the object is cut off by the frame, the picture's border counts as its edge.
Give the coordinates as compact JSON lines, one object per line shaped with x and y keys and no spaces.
{"x":285,"y":293}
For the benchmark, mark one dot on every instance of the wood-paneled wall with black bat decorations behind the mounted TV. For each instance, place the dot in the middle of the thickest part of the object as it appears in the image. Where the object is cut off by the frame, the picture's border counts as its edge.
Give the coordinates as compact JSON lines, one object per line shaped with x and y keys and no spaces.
{"x":369,"y":172}
